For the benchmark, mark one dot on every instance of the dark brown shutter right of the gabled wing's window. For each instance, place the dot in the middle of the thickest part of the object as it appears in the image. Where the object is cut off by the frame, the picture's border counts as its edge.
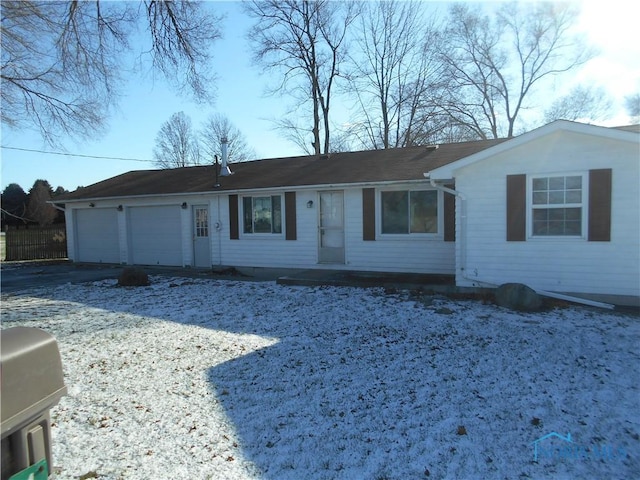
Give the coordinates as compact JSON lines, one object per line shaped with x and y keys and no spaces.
{"x":600,"y":205}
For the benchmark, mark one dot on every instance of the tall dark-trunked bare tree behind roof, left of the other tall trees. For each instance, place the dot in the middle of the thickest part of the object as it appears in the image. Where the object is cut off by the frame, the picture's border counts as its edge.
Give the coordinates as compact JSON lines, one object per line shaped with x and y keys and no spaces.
{"x":305,"y":41}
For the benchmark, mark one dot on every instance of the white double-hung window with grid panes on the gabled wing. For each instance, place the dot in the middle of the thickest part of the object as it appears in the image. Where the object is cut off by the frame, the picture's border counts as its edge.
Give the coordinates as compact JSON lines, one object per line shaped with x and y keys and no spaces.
{"x":557,"y":205}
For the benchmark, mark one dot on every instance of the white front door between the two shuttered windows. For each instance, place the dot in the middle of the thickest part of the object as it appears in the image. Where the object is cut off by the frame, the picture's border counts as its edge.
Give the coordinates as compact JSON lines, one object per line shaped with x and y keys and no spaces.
{"x":331,"y":227}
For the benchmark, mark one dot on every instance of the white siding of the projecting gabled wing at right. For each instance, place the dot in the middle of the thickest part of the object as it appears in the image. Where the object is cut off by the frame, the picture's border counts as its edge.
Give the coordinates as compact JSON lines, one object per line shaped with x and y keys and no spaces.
{"x":554,"y":263}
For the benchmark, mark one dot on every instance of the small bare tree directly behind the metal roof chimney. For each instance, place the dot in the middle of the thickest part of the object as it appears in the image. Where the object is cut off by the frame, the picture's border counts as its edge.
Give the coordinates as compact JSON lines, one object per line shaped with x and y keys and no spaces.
{"x":217,"y":128}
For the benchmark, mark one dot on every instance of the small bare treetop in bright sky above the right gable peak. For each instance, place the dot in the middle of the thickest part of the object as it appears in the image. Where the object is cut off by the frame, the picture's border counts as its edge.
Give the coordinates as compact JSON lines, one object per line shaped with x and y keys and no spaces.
{"x":581,"y":103}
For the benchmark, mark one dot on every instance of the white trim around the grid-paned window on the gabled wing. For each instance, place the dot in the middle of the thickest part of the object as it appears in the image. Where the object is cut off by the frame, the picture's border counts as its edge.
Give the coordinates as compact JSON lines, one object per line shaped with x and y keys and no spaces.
{"x":584,"y":206}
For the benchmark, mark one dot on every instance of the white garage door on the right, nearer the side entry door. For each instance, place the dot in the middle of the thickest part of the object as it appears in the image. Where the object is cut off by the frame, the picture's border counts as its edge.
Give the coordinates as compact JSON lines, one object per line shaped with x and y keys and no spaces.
{"x":155,"y":235}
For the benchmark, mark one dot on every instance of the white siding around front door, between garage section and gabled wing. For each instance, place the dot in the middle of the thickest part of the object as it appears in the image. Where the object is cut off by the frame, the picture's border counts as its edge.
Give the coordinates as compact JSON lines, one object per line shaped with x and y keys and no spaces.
{"x":395,"y":253}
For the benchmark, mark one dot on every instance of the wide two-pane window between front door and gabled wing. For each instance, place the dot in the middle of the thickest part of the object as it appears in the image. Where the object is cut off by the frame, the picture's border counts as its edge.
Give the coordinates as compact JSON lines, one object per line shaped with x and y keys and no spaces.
{"x":409,"y":211}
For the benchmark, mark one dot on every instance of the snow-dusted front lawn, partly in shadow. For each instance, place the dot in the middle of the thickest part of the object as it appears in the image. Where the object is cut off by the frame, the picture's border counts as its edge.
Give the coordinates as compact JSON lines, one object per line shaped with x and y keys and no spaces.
{"x":237,"y":380}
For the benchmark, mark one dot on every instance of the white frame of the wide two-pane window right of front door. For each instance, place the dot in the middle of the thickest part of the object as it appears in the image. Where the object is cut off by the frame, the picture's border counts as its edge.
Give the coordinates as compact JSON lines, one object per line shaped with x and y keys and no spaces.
{"x":437,"y":235}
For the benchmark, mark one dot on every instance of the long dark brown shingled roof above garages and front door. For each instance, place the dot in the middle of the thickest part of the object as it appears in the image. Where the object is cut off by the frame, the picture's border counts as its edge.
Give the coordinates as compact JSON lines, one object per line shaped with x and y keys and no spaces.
{"x":398,"y":164}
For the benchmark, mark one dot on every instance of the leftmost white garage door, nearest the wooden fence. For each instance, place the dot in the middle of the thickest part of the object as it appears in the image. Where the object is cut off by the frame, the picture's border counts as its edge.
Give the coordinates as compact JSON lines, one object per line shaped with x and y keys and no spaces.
{"x":97,"y":235}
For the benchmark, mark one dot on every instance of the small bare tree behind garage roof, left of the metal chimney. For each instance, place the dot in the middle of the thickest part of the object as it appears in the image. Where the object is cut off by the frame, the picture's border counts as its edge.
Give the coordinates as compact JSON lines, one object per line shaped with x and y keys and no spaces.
{"x":176,"y":144}
